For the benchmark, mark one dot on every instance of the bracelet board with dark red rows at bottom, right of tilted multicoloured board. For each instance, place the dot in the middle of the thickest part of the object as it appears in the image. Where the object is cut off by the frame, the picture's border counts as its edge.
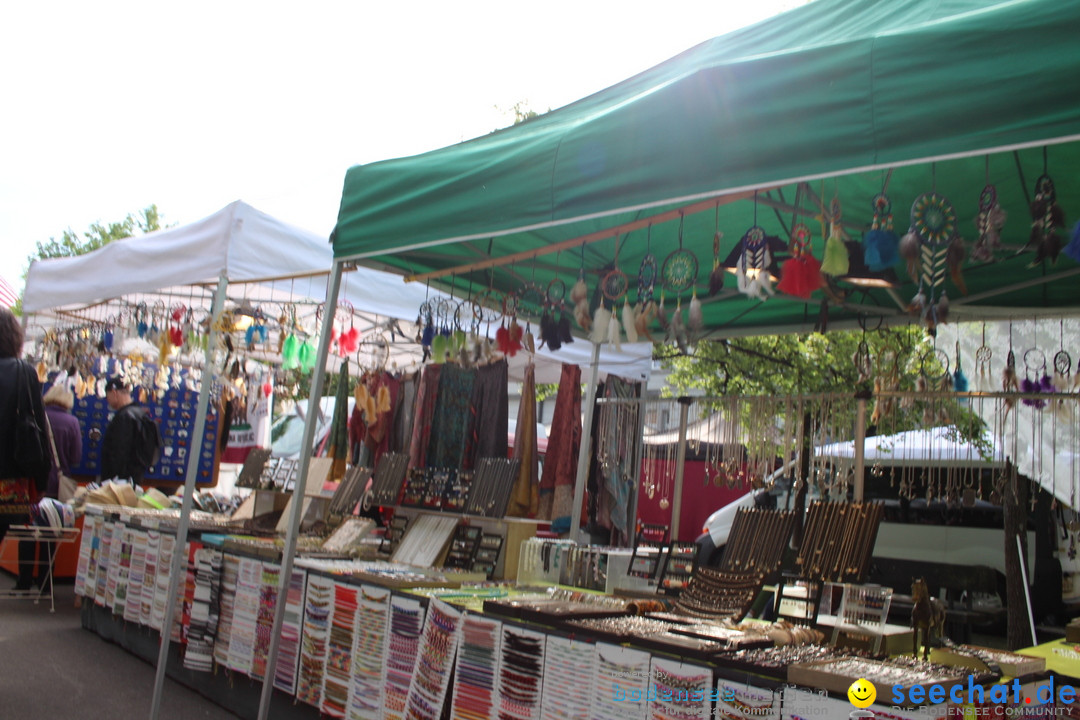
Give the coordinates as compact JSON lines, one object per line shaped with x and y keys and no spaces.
{"x":478,"y":668}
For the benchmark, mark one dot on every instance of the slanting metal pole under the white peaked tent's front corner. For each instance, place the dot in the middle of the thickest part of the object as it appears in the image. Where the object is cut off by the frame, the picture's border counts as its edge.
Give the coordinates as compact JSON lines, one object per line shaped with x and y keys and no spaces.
{"x":180,"y":556}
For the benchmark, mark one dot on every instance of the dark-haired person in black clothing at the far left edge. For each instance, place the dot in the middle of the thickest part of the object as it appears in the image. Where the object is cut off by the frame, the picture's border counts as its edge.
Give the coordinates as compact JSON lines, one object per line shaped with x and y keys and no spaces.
{"x":19,"y":488}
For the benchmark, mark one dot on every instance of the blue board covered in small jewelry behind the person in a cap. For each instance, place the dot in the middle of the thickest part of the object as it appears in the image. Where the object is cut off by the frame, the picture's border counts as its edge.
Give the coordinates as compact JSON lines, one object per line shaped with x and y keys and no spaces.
{"x":175,"y":414}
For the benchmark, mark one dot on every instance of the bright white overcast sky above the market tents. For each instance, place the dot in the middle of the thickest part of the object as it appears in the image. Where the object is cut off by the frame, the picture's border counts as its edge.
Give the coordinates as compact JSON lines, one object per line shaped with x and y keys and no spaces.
{"x":110,"y":107}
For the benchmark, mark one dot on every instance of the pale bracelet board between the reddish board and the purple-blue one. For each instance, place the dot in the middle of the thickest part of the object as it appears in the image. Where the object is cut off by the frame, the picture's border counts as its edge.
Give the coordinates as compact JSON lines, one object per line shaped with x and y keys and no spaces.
{"x":369,"y":654}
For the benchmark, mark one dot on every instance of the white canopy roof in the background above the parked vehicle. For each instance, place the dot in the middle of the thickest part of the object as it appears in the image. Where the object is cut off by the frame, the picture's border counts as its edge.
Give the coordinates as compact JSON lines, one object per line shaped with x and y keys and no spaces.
{"x":938,"y":447}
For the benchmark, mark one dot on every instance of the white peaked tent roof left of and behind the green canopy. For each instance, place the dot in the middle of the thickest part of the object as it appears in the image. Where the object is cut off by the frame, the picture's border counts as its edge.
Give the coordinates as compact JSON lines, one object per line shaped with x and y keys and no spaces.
{"x":271,"y":263}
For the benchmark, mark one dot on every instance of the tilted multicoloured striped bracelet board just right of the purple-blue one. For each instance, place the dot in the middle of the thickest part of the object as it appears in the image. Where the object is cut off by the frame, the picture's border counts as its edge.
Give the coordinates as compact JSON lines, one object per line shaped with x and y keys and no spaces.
{"x":439,"y":646}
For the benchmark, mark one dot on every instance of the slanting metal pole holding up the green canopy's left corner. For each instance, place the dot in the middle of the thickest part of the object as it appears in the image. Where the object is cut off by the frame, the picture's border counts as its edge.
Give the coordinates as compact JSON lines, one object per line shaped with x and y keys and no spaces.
{"x":302,"y":481}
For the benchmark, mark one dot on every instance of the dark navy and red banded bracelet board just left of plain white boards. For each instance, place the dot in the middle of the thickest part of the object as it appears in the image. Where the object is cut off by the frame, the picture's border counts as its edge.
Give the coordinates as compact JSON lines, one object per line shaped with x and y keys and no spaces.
{"x":521,"y":674}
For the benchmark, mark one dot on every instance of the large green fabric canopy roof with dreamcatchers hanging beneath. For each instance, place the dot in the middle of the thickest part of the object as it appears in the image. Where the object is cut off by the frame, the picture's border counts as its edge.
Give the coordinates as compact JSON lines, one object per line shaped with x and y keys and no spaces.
{"x":833,"y":100}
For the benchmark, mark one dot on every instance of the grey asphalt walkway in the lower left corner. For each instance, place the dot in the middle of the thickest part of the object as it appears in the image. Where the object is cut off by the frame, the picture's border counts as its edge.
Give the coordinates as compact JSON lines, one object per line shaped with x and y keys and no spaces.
{"x":50,"y":668}
